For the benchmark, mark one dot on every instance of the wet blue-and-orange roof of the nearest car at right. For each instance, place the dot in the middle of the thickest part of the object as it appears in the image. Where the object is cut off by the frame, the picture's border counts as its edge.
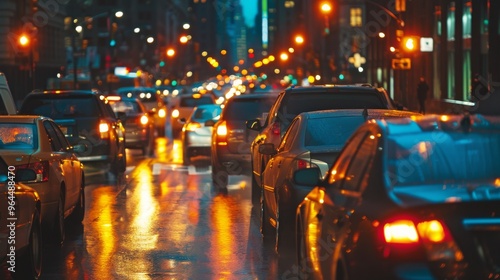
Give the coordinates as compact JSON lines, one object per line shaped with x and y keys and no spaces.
{"x":444,"y":123}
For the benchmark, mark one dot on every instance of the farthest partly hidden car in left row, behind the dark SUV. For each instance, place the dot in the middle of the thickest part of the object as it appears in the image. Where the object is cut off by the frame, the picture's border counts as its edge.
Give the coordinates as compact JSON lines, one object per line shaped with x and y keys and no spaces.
{"x":153,"y":100}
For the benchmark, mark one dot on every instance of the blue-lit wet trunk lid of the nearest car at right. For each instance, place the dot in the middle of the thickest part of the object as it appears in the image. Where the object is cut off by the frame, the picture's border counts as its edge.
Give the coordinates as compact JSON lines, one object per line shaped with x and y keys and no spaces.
{"x":446,"y":193}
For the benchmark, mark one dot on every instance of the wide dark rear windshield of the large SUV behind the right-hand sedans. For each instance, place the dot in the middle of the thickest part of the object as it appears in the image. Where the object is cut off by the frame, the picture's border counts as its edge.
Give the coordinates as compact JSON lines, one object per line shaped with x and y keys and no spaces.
{"x":298,"y":103}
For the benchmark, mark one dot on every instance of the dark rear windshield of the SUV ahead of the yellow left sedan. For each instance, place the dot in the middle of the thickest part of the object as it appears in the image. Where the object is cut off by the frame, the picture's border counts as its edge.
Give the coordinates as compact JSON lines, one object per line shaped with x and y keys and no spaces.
{"x":61,"y":107}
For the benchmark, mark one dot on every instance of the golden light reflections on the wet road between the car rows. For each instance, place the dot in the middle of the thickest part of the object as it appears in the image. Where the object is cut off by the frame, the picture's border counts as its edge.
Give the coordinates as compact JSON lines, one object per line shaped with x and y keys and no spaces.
{"x":163,"y":221}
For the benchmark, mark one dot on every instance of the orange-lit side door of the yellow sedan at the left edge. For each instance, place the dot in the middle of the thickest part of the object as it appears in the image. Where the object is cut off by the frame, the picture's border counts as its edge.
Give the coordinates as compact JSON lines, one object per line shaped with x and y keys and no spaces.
{"x":61,"y":162}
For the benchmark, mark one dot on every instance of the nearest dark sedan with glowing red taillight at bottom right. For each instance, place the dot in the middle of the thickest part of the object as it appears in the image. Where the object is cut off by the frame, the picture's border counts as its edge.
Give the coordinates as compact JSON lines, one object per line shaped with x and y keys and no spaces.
{"x":406,"y":197}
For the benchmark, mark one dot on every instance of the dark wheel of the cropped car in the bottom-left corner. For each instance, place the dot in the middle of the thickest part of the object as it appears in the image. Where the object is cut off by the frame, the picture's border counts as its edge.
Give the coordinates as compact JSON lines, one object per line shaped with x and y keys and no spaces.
{"x":30,"y":263}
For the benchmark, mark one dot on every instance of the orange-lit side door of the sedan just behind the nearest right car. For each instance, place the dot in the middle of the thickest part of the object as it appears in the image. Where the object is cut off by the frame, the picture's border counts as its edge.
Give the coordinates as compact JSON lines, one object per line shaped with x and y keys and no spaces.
{"x":272,"y":173}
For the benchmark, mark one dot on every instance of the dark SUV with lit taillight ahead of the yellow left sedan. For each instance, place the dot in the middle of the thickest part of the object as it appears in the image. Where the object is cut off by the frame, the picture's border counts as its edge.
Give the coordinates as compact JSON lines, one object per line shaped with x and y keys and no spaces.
{"x":85,"y":117}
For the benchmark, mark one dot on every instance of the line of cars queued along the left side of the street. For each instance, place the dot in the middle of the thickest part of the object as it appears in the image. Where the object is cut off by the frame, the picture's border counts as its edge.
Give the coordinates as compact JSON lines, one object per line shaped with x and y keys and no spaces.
{"x":46,"y":148}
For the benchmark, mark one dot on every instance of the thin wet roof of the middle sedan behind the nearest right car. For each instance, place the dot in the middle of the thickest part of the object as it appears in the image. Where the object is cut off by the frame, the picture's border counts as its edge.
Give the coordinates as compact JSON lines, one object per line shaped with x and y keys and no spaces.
{"x":369,"y":113}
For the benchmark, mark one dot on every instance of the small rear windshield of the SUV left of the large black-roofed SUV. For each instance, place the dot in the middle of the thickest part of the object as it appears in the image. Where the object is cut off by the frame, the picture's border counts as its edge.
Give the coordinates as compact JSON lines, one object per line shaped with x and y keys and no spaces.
{"x":246,"y":109}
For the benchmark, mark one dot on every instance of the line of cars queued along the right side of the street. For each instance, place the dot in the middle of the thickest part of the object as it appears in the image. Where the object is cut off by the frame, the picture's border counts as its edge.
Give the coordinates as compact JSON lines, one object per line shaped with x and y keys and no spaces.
{"x":356,"y":188}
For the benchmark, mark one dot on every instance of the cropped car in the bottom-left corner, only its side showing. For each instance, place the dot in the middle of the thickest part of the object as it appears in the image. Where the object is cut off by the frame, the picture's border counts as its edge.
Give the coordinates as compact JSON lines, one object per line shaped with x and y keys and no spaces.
{"x":25,"y":208}
